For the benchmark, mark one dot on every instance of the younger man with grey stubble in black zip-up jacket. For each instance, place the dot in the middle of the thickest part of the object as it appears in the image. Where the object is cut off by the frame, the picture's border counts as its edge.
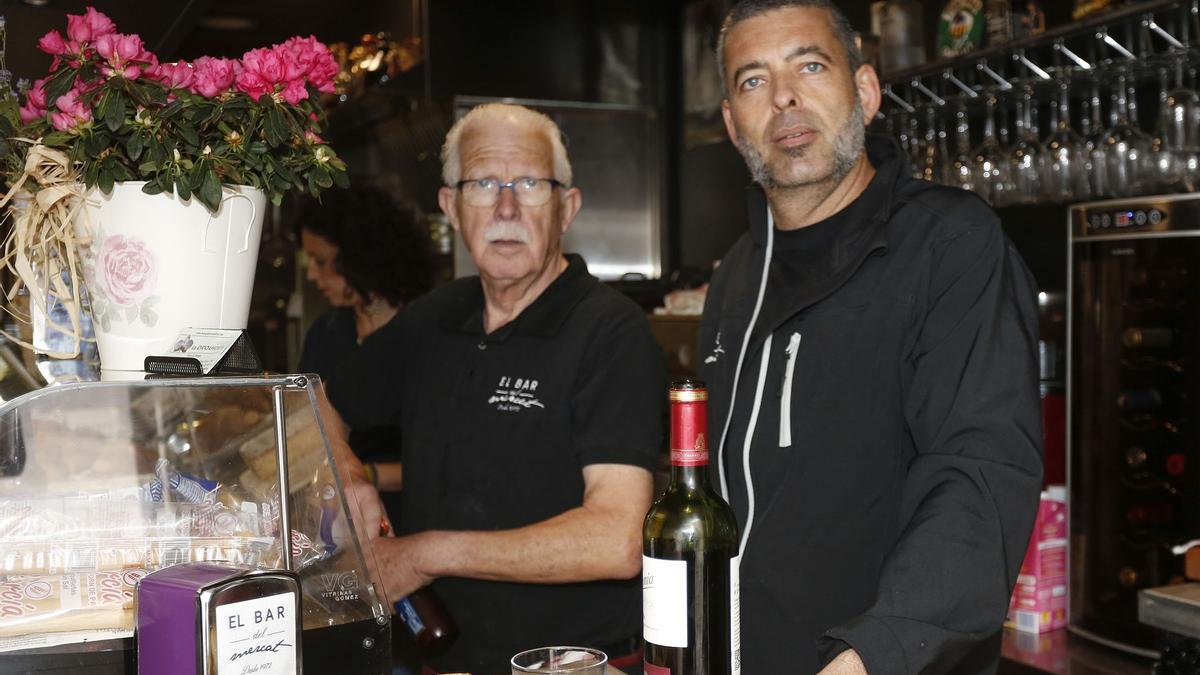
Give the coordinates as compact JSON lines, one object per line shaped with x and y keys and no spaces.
{"x":871,"y":353}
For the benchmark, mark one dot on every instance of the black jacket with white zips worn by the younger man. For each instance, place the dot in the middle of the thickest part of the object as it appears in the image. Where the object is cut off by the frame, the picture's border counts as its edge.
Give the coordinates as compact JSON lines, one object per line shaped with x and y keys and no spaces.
{"x":902,"y":369}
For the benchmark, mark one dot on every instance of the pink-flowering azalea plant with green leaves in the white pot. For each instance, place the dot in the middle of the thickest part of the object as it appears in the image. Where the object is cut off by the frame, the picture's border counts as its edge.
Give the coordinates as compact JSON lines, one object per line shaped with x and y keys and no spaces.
{"x":189,"y":128}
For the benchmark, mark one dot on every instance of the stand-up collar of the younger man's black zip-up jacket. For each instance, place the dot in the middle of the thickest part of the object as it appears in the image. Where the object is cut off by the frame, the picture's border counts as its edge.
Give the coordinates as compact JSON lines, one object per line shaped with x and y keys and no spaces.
{"x":868,"y":229}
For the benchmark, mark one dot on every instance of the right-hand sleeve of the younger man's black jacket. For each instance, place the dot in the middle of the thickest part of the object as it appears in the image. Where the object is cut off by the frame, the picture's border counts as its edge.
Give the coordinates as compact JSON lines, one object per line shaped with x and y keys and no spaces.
{"x":971,"y":494}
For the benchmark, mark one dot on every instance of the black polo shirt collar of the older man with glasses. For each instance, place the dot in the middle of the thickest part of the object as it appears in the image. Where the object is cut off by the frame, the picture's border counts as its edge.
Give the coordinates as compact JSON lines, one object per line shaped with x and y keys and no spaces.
{"x":543,"y":319}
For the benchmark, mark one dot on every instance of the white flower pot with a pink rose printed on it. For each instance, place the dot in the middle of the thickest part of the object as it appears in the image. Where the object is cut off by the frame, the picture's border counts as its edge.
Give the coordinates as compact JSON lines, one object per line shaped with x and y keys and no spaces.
{"x":158,"y":265}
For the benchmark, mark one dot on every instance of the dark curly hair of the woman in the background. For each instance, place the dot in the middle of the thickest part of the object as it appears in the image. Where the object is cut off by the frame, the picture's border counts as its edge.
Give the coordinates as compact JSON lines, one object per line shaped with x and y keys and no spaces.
{"x":382,"y":252}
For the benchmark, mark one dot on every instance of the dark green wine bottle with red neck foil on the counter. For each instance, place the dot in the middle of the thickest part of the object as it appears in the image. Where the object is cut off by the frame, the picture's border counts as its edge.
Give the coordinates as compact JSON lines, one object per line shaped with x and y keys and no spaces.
{"x":691,"y":558}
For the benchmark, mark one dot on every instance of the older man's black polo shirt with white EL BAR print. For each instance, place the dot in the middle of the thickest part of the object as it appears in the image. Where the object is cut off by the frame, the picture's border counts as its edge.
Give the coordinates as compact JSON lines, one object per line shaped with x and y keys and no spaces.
{"x":496,"y":432}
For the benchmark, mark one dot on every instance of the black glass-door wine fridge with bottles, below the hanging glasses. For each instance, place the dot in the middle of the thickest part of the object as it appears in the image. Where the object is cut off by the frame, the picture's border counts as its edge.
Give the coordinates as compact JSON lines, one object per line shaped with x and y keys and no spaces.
{"x":1133,"y":440}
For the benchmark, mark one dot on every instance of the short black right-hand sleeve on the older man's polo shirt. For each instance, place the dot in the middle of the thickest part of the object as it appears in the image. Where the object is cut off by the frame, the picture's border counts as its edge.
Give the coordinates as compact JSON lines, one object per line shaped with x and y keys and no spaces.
{"x":620,"y":396}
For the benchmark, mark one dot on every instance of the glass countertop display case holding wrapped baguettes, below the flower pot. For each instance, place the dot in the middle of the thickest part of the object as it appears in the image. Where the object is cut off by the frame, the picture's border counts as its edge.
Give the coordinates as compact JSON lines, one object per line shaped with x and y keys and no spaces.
{"x":105,"y":482}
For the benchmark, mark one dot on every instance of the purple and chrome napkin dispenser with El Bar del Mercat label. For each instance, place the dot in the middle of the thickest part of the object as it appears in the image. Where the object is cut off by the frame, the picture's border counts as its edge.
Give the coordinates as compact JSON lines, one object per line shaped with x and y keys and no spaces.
{"x":219,"y":619}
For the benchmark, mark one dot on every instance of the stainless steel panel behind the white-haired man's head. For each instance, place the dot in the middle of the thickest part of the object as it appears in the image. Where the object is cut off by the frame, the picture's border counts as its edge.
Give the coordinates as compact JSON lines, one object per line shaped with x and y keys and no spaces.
{"x":615,"y":158}
